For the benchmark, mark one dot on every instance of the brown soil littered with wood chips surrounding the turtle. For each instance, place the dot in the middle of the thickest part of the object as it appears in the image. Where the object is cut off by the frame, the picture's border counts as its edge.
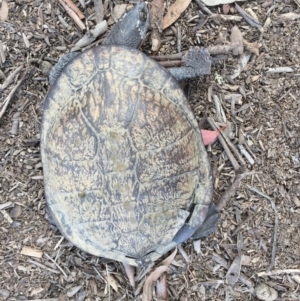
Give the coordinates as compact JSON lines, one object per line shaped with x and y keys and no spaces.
{"x":268,"y":120}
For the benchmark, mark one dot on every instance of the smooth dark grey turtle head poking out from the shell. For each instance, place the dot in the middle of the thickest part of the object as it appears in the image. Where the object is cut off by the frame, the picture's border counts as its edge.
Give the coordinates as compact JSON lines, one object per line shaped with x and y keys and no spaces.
{"x":131,"y":28}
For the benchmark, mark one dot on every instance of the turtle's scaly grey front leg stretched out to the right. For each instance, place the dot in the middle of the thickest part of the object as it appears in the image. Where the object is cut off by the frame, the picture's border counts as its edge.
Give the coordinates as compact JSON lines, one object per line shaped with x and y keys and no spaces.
{"x":196,"y":62}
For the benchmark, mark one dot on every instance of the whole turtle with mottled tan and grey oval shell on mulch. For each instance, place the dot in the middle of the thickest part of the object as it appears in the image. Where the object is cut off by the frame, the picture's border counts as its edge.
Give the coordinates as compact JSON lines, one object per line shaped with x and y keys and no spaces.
{"x":126,"y":173}
